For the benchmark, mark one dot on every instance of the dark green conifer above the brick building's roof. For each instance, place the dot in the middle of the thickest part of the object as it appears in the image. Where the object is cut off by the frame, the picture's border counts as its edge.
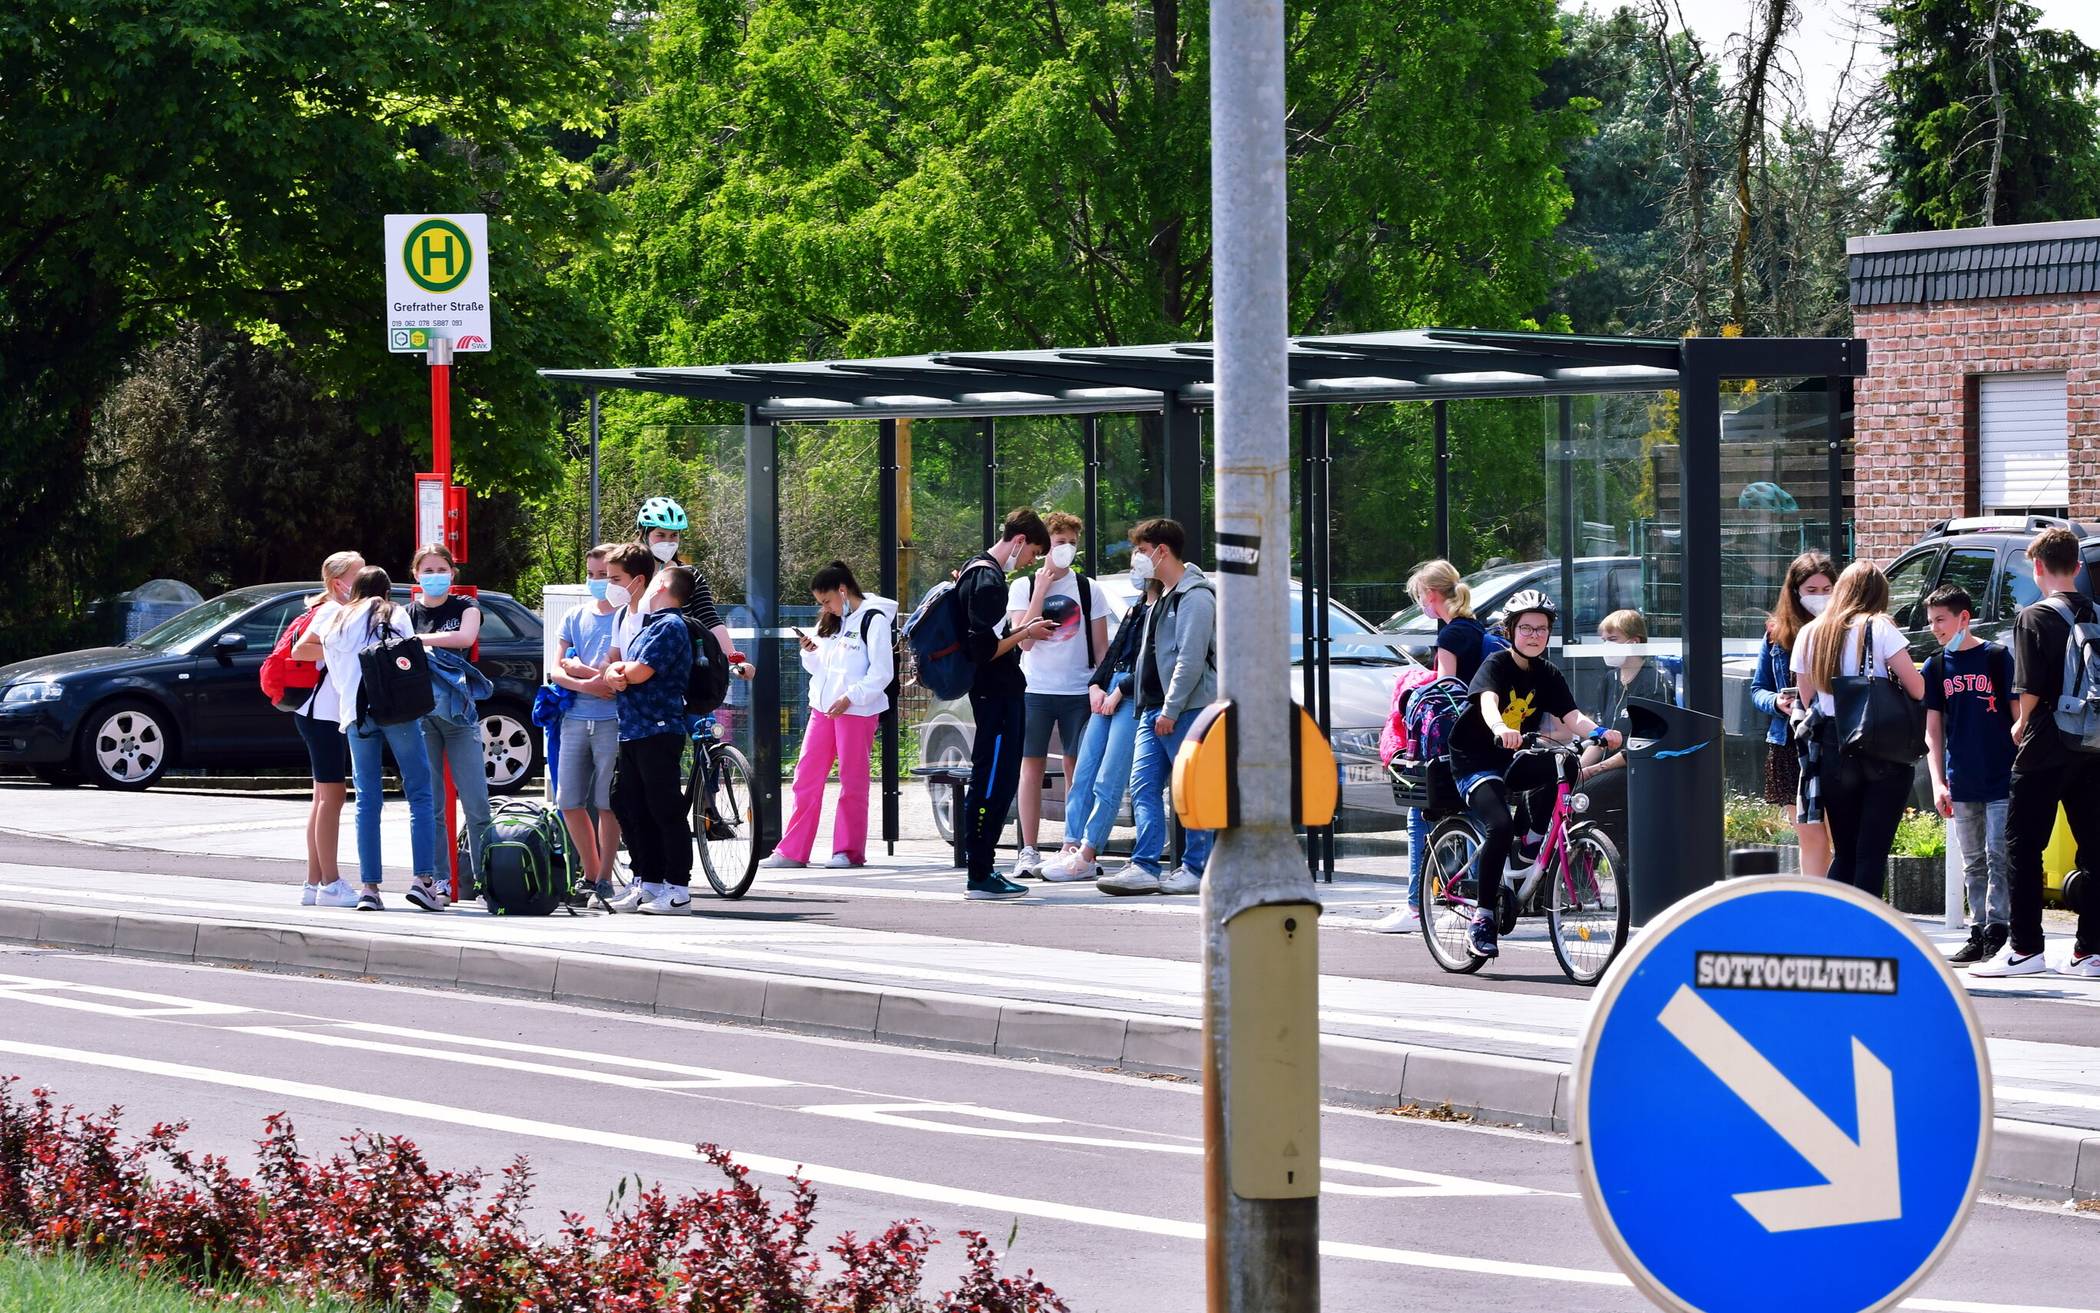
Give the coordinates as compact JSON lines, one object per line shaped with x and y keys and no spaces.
{"x":1992,"y":117}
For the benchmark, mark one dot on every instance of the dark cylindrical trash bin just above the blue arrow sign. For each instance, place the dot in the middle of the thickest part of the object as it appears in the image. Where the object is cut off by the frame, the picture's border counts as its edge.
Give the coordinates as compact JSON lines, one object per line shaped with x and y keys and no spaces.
{"x":1673,"y":806}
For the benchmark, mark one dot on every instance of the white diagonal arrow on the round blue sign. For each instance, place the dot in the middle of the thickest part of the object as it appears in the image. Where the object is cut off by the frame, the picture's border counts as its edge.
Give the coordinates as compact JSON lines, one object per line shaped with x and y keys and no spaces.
{"x":1862,"y":1177}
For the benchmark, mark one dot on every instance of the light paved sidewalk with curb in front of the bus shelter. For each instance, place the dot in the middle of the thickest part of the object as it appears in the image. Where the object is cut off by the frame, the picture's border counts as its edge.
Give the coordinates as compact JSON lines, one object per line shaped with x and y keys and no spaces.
{"x":967,"y":976}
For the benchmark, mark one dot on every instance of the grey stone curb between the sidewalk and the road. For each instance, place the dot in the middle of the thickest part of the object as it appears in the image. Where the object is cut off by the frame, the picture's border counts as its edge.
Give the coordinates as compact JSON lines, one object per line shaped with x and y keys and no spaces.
{"x":2028,"y":1159}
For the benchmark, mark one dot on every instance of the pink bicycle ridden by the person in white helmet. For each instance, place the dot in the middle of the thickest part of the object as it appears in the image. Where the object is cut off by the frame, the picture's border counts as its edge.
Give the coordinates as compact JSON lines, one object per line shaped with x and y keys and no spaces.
{"x":1584,"y":902}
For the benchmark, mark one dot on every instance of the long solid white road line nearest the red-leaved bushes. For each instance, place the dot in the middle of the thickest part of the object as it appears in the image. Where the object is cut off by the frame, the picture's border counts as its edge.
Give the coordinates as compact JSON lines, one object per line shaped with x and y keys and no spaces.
{"x":854,"y":1180}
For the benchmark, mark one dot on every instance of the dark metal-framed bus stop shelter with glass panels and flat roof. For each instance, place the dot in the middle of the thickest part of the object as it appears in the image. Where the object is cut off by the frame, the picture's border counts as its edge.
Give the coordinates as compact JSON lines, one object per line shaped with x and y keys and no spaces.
{"x":1171,"y":390}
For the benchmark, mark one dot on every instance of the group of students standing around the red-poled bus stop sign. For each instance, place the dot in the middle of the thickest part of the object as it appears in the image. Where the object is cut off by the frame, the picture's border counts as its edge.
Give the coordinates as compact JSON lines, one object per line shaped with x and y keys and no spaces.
{"x":625,"y":659}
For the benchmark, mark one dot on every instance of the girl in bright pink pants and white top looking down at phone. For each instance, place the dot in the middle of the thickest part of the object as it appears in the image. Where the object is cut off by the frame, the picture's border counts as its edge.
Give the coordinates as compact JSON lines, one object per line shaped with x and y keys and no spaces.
{"x":852,"y":665}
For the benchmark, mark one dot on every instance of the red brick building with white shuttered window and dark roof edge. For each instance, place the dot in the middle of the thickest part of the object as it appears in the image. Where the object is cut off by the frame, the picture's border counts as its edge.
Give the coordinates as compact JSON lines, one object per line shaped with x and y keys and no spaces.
{"x":1983,"y":377}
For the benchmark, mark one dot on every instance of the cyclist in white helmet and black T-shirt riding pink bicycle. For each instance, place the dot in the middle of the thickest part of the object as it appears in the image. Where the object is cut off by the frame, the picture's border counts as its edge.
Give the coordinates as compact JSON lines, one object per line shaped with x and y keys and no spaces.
{"x":1513,"y":694}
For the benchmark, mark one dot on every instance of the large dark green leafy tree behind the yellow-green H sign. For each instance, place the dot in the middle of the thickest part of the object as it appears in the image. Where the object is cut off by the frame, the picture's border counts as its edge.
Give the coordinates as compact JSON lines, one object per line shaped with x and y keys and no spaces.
{"x":230,"y":161}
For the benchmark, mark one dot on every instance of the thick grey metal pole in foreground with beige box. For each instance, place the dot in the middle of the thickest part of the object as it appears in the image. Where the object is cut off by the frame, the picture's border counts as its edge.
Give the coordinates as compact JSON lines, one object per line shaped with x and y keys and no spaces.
{"x":1261,"y":1033}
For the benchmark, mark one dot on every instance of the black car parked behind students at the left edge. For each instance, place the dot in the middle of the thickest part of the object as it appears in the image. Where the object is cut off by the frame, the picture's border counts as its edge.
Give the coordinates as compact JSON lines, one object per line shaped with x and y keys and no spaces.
{"x":188,"y":694}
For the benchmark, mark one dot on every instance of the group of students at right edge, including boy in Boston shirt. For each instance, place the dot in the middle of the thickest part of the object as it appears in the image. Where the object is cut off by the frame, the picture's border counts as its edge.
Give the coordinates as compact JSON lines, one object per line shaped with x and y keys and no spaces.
{"x":1998,"y":762}
